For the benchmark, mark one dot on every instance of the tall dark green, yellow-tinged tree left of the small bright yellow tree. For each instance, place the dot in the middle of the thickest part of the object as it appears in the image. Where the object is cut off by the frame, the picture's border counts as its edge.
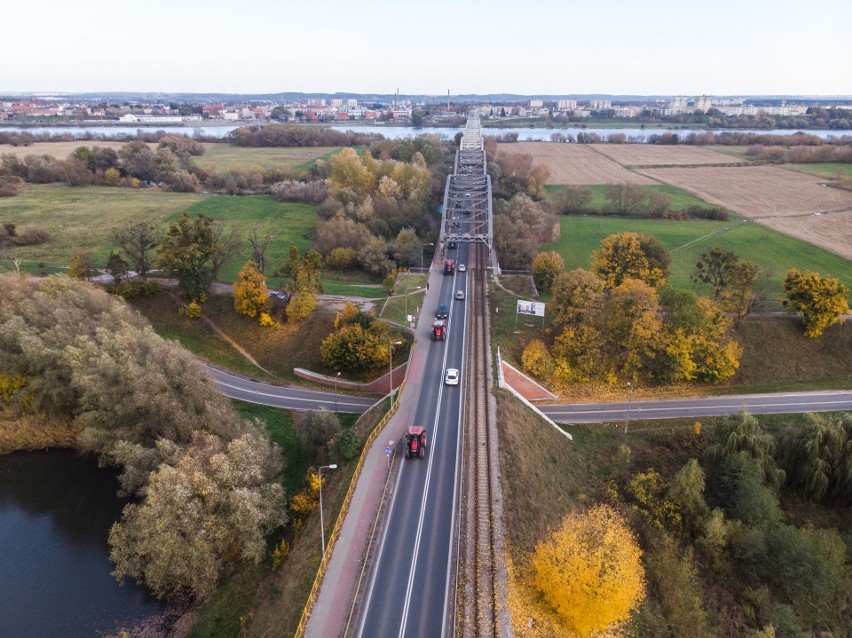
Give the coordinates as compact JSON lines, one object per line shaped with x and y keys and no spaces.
{"x":187,"y":250}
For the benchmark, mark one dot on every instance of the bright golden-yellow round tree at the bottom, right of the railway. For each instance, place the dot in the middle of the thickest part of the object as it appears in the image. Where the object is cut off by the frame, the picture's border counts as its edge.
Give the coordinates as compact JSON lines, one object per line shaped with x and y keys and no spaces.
{"x":590,"y":570}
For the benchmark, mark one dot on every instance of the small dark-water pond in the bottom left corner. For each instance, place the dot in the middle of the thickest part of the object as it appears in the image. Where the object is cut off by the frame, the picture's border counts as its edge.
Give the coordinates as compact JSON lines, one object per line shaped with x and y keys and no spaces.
{"x":56,"y":509}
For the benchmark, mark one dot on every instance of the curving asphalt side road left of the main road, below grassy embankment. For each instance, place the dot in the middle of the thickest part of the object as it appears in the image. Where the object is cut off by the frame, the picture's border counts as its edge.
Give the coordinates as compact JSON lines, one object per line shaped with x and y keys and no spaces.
{"x":290,"y":398}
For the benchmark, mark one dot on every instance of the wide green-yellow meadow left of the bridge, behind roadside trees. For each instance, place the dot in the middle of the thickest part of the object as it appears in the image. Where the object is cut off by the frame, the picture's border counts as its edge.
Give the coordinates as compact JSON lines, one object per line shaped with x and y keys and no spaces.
{"x":81,"y":219}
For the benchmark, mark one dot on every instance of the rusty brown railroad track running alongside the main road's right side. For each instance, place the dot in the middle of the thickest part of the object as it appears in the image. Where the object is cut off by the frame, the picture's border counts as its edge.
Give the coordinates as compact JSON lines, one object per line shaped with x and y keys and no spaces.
{"x":478,"y":608}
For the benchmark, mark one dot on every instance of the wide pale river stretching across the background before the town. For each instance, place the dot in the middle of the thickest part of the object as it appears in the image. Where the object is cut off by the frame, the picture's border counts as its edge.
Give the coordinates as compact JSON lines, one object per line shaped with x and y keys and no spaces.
{"x":399,"y":132}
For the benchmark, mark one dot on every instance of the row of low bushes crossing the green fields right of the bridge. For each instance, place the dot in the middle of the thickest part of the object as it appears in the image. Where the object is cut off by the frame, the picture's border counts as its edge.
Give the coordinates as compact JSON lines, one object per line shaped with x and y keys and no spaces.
{"x":629,"y":200}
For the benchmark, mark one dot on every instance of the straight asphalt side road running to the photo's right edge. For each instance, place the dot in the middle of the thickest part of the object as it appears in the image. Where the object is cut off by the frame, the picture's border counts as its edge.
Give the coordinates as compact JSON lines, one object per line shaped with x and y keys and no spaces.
{"x":824,"y":401}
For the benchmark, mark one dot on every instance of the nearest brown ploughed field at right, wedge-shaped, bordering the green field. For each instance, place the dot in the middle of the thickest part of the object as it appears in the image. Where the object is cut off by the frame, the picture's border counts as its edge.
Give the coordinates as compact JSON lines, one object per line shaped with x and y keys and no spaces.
{"x":781,"y":199}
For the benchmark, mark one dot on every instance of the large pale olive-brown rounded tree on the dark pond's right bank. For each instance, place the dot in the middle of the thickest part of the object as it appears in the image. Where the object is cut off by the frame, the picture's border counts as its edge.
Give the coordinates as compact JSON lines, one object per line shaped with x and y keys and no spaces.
{"x":215,"y":506}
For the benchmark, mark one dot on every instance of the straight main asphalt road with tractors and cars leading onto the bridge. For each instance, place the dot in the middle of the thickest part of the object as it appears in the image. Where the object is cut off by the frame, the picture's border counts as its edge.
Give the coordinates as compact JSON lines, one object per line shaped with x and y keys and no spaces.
{"x":408,"y":590}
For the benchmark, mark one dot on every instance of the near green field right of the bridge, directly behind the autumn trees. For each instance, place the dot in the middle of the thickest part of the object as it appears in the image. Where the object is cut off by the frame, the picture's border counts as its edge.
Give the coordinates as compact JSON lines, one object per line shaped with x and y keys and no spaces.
{"x":769,"y":249}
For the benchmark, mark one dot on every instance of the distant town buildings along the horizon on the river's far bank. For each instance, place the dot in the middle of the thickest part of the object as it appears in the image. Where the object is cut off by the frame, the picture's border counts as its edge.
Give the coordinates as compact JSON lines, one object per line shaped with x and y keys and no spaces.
{"x":330,"y":110}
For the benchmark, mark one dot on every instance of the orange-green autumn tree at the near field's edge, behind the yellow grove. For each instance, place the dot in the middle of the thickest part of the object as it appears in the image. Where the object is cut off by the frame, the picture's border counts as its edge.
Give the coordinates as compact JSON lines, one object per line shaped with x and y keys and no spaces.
{"x":631,"y":256}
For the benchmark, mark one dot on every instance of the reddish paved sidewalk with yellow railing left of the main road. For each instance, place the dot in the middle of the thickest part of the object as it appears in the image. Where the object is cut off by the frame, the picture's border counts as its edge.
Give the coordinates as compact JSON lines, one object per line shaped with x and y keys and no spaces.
{"x":329,"y":615}
